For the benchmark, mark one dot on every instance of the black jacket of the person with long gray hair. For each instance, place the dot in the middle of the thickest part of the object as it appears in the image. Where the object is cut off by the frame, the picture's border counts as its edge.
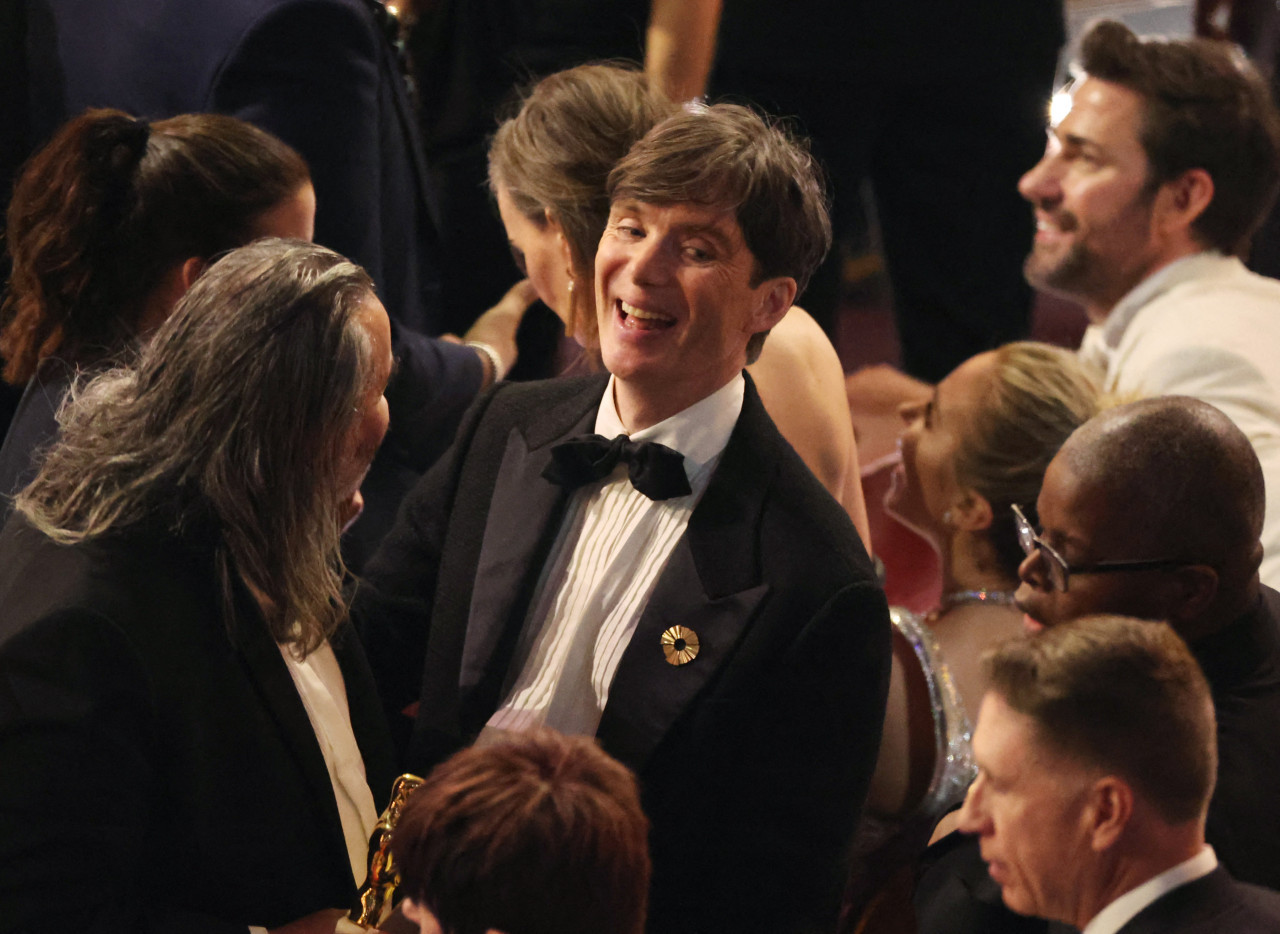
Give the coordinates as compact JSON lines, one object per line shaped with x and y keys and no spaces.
{"x":158,"y":775}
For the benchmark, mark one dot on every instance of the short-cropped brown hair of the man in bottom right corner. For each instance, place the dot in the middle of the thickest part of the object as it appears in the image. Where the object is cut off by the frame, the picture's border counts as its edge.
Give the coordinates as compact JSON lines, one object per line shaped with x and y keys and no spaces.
{"x":1121,"y":695}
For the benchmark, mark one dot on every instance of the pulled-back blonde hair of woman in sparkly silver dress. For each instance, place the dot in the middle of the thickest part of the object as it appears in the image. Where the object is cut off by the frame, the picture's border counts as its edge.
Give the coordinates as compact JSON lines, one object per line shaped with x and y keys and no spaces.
{"x":1039,"y":395}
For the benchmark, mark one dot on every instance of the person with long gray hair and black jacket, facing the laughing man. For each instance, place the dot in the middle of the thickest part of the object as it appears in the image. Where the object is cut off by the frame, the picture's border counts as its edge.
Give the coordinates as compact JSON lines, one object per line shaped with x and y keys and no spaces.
{"x":190,"y":734}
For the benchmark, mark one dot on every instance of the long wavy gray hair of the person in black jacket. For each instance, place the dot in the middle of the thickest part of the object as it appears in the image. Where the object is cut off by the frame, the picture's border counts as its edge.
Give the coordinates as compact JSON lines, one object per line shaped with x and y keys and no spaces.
{"x":234,"y":415}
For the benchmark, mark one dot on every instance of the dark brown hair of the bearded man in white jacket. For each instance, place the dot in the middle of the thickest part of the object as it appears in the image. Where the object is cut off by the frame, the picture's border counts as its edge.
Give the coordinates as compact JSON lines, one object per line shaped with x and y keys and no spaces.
{"x":1205,"y":108}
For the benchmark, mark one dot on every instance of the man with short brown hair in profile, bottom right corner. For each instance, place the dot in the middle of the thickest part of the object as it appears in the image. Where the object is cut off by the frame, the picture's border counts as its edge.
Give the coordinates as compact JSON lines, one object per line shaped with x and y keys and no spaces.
{"x":1096,"y":754}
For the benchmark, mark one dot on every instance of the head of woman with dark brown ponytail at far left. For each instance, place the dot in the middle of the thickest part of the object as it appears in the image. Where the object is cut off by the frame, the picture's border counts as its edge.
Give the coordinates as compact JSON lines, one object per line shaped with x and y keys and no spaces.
{"x":109,"y":226}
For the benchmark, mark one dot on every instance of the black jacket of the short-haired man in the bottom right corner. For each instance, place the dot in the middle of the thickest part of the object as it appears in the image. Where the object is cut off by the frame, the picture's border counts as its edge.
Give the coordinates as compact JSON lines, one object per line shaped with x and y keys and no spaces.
{"x":1215,"y":904}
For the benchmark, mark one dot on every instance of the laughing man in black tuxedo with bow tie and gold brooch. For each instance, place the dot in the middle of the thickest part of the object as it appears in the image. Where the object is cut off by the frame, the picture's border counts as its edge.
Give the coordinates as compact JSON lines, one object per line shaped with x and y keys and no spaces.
{"x":715,"y":620}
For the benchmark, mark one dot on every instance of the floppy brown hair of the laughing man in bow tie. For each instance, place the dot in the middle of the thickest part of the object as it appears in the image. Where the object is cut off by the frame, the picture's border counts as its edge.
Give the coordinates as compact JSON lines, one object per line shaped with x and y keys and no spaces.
{"x":730,"y":157}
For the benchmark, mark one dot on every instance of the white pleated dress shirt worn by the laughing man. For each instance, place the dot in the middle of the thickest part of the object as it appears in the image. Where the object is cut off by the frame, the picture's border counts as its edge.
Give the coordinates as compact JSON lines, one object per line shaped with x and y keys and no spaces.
{"x":611,"y":550}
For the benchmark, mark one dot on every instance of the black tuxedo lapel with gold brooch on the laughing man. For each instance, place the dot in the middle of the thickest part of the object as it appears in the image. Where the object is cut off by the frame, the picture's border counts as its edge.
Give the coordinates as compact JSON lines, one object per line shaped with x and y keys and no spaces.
{"x":712,"y":584}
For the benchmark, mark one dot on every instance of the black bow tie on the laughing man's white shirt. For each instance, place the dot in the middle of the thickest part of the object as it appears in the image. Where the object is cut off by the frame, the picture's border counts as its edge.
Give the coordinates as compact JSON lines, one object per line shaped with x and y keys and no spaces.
{"x":656,"y":470}
